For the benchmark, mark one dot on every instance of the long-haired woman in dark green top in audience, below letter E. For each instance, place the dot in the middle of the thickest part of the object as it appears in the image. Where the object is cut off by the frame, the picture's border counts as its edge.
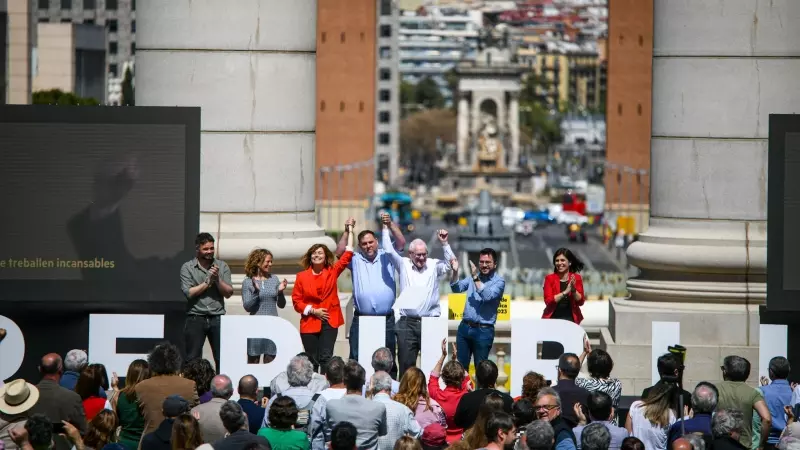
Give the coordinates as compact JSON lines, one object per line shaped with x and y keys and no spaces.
{"x":131,"y":421}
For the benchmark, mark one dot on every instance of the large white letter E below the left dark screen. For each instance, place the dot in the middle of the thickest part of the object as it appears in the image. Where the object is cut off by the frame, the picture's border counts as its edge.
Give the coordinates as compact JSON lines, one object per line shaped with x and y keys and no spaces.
{"x":104,"y":329}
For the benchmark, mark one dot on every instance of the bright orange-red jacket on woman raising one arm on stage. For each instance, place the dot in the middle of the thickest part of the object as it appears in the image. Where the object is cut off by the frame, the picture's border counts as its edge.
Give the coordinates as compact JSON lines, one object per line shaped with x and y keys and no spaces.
{"x":320,"y":291}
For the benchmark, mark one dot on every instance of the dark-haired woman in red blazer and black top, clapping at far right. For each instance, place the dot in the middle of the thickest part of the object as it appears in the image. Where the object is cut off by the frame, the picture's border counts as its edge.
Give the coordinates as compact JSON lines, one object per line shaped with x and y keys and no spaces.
{"x":563,"y":289}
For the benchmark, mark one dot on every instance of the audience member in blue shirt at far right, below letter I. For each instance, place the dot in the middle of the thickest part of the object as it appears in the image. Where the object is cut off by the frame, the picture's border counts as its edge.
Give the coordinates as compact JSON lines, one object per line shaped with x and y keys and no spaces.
{"x":777,"y":394}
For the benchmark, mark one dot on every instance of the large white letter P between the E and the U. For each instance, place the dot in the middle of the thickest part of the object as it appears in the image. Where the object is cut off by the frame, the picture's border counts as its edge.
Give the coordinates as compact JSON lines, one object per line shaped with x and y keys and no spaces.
{"x":233,"y":347}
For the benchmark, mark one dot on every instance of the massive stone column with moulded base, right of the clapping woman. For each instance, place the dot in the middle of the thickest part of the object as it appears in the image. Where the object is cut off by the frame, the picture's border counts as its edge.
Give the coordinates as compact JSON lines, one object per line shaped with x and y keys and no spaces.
{"x":717,"y":75}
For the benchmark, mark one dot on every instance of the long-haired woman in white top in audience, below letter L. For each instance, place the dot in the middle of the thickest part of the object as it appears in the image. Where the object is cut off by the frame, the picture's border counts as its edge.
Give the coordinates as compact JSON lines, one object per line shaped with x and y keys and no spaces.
{"x":650,"y":419}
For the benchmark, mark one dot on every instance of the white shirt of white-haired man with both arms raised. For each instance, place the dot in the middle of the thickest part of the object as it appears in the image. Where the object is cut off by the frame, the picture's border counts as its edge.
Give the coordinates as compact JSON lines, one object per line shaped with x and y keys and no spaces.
{"x":428,"y":276}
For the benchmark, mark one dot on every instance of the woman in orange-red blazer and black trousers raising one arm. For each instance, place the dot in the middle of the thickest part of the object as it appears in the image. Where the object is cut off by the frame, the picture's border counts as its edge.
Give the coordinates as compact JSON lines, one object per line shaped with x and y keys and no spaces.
{"x":316,"y":297}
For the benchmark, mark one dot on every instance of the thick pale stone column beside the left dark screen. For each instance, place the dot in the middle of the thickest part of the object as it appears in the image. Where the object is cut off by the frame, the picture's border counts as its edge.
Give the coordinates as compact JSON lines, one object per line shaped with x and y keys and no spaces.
{"x":251,"y":67}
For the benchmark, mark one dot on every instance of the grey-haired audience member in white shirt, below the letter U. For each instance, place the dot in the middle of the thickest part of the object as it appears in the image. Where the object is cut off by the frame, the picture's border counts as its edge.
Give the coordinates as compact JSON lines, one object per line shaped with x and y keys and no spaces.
{"x":399,"y":417}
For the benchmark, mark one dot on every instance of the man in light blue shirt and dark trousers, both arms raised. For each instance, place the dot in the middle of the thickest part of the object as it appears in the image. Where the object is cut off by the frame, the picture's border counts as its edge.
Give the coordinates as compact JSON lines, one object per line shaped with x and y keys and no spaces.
{"x":374,"y":285}
